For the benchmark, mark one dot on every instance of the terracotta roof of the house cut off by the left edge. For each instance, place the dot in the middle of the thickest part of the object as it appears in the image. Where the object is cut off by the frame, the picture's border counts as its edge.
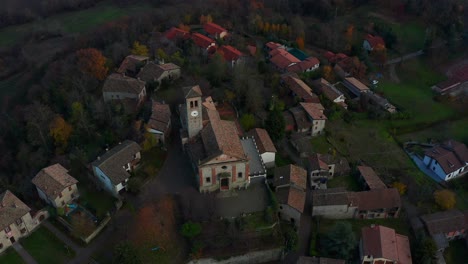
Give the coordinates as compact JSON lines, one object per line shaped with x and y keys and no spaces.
{"x":11,"y":208}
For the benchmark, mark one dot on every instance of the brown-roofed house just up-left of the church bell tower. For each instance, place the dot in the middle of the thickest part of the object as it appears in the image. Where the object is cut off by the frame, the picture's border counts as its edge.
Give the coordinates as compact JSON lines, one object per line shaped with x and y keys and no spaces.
{"x":156,"y":72}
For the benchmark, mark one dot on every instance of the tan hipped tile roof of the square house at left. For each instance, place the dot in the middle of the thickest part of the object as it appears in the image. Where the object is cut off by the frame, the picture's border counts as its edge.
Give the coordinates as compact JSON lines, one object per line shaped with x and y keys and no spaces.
{"x":53,"y":180}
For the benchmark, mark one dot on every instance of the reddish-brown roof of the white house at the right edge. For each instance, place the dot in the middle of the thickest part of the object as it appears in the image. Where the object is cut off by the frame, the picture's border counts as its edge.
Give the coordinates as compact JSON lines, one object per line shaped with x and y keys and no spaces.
{"x":451,"y":155}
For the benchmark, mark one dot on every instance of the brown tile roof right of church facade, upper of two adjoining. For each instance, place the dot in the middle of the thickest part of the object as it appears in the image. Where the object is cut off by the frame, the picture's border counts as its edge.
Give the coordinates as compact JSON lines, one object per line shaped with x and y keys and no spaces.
{"x":290,"y":174}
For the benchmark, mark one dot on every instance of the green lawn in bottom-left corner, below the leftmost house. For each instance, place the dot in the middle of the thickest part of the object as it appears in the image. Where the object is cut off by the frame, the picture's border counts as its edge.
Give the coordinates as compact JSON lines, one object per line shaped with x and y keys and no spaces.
{"x":45,"y":248}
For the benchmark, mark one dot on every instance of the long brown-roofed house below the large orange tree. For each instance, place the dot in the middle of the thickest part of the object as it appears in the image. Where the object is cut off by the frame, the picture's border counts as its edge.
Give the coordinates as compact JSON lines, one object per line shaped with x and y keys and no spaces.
{"x":118,"y":87}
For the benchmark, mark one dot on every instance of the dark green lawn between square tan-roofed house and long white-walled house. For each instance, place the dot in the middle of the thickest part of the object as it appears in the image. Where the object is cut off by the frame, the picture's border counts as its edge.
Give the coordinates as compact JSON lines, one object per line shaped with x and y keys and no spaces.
{"x":98,"y":201}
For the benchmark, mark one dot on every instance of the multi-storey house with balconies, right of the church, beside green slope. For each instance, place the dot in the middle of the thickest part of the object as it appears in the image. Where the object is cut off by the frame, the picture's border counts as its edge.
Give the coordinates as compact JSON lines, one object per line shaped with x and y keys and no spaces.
{"x":323,"y":167}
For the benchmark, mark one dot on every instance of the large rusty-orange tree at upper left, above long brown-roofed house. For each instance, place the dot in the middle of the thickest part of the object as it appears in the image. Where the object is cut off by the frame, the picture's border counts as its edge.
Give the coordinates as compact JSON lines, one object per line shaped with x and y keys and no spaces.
{"x":92,"y":62}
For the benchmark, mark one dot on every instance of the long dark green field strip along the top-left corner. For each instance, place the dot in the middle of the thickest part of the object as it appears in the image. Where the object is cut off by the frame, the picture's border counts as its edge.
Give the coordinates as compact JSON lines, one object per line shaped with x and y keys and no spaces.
{"x":72,"y":22}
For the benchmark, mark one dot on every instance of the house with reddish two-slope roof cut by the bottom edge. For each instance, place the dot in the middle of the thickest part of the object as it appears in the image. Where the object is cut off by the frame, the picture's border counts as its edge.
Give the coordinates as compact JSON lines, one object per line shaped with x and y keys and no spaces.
{"x":380,"y":244}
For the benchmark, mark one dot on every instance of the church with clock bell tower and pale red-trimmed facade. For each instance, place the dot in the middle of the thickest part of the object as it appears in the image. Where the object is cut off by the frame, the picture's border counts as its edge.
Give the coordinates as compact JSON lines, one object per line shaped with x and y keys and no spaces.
{"x":213,"y":144}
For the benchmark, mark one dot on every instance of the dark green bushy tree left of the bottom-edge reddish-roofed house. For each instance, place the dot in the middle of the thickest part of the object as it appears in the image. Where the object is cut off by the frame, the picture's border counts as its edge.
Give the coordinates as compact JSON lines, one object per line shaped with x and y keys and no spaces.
{"x":339,"y":242}
